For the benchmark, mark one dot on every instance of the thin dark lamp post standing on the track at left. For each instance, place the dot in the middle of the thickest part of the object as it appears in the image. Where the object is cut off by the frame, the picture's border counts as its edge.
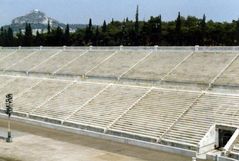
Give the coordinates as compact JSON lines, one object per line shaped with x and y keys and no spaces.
{"x":9,"y":110}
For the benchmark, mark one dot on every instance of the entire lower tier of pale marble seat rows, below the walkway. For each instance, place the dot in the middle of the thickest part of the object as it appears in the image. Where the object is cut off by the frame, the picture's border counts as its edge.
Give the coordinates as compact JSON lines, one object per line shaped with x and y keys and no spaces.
{"x":158,"y":114}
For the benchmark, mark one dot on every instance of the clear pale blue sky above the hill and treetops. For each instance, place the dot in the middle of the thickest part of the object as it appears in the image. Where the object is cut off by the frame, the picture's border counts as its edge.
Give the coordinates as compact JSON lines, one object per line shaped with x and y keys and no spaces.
{"x":79,"y":11}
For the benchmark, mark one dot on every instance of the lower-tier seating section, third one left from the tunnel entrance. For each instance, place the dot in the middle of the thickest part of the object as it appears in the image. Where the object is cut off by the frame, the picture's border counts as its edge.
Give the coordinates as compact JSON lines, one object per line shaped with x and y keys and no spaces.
{"x":107,"y":106}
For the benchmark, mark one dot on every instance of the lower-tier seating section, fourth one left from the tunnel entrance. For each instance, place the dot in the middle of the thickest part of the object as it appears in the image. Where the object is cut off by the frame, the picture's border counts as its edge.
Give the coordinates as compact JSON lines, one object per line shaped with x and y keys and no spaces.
{"x":74,"y":96}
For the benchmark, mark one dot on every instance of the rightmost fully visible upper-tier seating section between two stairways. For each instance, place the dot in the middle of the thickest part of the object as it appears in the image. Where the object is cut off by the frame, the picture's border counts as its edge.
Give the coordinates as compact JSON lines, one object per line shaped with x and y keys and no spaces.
{"x":200,"y":68}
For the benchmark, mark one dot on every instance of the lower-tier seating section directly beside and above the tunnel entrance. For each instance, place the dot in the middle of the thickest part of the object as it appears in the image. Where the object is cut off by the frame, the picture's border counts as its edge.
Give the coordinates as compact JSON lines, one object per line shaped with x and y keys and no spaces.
{"x":207,"y":110}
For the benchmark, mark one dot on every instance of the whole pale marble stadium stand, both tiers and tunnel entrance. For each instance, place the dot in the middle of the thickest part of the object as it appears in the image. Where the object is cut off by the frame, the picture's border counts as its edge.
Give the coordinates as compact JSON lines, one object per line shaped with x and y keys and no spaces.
{"x":182,"y":100}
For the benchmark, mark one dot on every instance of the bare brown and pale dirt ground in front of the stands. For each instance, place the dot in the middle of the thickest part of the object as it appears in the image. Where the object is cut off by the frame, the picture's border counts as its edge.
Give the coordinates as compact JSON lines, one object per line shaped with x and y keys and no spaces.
{"x":31,"y":143}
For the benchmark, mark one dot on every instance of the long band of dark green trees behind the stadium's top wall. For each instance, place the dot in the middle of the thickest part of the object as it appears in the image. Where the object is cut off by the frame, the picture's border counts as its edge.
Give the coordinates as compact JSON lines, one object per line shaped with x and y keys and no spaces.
{"x":182,"y":31}
